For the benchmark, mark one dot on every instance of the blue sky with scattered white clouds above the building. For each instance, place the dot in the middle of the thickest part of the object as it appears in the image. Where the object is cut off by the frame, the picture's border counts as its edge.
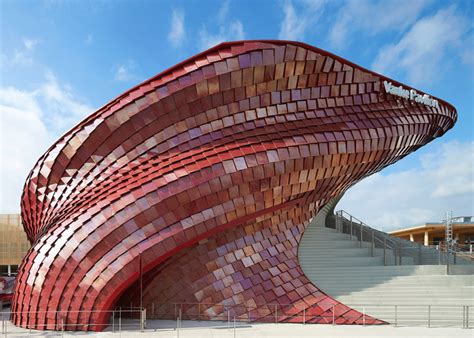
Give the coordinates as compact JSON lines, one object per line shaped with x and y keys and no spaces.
{"x":62,"y":60}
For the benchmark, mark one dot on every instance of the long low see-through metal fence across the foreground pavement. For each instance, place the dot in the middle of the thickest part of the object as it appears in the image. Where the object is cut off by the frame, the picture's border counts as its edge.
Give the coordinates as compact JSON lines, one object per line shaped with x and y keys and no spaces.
{"x":170,"y":317}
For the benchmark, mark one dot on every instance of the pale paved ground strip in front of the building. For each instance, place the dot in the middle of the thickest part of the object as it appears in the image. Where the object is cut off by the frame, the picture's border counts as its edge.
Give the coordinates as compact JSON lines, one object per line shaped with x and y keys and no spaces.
{"x":202,"y":329}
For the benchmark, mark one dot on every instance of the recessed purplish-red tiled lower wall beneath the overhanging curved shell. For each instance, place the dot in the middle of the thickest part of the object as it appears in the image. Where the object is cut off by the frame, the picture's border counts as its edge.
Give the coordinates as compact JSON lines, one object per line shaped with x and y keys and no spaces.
{"x":250,"y":272}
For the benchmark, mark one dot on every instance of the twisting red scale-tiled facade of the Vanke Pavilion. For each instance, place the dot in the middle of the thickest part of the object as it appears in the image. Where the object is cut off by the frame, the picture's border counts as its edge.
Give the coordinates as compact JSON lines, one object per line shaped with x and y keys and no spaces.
{"x":240,"y":146}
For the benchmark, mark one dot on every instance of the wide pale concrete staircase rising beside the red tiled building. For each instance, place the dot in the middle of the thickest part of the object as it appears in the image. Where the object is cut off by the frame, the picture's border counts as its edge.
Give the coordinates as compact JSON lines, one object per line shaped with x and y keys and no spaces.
{"x":406,"y":294}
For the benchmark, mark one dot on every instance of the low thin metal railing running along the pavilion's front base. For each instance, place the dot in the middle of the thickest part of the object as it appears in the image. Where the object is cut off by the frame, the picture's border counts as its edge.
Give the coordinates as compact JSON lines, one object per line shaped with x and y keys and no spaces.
{"x":277,"y":312}
